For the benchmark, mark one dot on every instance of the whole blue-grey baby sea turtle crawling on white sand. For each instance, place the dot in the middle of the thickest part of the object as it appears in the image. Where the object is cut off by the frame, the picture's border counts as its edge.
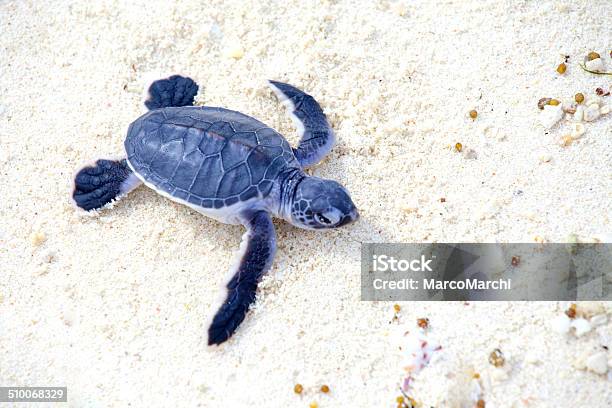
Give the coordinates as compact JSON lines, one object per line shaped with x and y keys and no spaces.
{"x":228,"y":166}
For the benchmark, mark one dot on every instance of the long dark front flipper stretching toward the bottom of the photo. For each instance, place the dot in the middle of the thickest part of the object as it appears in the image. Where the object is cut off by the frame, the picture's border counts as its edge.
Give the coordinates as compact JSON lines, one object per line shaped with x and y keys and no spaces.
{"x":256,"y":254}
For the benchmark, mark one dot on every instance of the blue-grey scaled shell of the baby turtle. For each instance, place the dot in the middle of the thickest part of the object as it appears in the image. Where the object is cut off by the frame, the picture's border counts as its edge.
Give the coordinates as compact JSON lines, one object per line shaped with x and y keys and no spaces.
{"x":209,"y":157}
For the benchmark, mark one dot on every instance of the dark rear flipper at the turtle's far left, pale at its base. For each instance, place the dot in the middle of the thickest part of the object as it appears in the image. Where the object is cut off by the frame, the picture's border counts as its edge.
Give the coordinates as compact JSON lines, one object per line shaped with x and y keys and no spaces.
{"x":95,"y":186}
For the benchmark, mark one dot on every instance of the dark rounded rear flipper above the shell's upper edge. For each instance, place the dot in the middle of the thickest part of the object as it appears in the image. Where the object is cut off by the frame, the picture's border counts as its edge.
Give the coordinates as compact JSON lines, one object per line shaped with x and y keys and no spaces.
{"x":172,"y":91}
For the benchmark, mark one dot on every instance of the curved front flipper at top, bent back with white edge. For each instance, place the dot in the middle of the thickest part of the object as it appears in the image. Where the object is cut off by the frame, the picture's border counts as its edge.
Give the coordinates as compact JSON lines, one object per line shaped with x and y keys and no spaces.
{"x":317,"y":136}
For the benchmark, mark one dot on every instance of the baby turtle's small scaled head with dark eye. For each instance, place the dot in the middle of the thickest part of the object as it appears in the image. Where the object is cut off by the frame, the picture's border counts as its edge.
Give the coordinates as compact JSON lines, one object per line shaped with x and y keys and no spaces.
{"x":319,"y":203}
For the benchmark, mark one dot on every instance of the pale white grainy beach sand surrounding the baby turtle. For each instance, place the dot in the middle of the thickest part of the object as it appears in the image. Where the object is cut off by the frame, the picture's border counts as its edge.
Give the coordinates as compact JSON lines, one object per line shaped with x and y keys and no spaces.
{"x":114,"y":306}
